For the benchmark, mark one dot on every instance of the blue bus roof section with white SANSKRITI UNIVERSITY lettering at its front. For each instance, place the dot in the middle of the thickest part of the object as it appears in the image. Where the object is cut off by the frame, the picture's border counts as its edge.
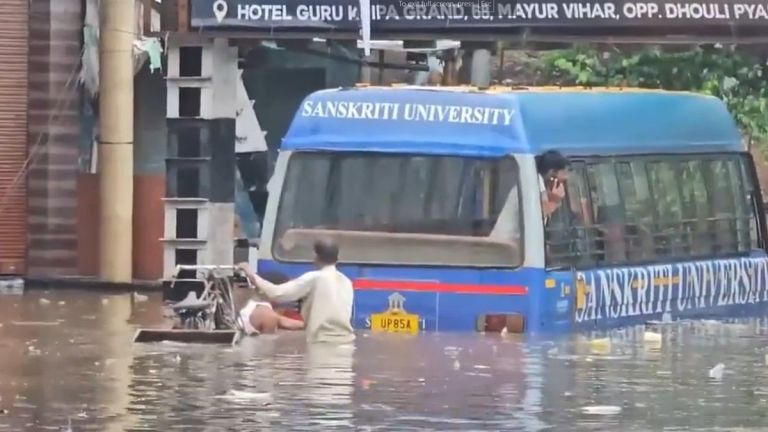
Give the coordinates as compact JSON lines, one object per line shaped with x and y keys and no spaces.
{"x":494,"y":122}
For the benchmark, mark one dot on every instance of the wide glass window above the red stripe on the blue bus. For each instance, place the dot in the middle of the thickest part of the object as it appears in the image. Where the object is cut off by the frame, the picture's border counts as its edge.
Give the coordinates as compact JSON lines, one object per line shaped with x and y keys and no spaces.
{"x":402,"y":209}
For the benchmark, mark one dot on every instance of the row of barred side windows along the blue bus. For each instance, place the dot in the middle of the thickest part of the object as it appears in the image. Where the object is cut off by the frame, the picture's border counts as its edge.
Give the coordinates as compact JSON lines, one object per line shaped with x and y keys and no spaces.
{"x":650,"y":209}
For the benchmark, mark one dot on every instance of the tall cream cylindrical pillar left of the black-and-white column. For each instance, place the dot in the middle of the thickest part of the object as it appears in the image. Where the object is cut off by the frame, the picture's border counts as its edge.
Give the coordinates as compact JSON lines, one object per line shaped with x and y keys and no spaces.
{"x":116,"y":140}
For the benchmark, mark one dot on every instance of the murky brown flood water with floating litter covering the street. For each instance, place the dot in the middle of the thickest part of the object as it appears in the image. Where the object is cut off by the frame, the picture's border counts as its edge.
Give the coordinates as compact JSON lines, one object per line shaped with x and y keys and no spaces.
{"x":67,"y":357}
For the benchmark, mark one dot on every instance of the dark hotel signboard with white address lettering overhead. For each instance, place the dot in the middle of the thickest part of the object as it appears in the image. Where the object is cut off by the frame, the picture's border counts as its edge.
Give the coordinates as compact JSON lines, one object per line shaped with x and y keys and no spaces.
{"x":399,"y":16}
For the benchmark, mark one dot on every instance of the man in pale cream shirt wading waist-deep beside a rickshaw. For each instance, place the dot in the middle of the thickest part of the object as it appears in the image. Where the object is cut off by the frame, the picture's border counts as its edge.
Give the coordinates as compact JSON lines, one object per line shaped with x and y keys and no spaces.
{"x":326,"y":295}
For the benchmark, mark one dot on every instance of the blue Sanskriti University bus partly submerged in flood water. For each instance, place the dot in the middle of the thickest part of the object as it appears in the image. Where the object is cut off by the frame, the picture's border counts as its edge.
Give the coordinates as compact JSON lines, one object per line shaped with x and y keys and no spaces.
{"x":433,"y":196}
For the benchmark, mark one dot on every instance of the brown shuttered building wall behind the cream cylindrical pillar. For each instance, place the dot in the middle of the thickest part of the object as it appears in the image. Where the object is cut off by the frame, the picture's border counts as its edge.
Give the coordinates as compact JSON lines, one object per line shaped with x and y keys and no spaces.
{"x":48,"y":122}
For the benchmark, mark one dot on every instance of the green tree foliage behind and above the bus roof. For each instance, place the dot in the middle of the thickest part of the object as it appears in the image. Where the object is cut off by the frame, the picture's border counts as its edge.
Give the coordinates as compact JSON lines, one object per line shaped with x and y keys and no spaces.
{"x":739,"y":79}
